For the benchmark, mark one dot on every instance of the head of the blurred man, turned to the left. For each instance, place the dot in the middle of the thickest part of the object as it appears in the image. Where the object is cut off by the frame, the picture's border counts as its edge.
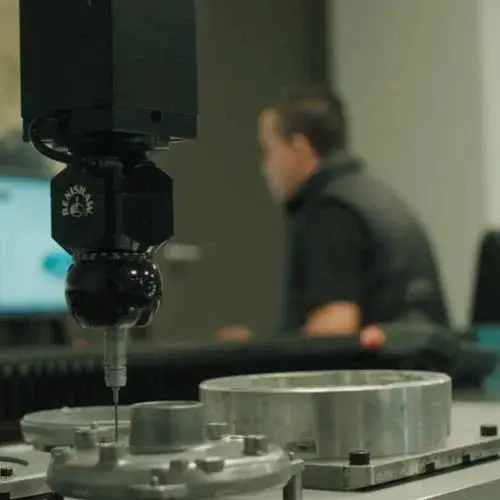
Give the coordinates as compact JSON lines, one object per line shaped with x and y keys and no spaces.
{"x":297,"y":133}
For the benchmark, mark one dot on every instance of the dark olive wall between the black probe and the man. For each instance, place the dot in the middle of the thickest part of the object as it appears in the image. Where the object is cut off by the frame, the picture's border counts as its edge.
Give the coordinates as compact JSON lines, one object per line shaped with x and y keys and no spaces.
{"x":222,"y":205}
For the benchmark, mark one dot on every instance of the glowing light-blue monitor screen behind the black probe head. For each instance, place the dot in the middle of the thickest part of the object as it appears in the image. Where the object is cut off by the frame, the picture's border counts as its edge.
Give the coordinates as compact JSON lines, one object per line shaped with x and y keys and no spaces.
{"x":32,"y":266}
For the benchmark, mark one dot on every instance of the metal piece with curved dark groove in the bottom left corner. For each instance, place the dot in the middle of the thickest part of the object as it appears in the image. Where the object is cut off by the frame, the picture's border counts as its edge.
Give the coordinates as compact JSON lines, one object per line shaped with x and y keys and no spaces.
{"x":23,"y":472}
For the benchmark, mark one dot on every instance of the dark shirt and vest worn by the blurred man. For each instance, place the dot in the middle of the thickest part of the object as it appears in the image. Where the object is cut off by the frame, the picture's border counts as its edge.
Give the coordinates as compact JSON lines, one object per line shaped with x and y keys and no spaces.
{"x":349,"y":238}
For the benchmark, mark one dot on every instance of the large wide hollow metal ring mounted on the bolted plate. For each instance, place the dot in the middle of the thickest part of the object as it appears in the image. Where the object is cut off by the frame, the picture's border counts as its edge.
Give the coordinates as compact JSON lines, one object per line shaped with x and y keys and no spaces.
{"x":328,"y":415}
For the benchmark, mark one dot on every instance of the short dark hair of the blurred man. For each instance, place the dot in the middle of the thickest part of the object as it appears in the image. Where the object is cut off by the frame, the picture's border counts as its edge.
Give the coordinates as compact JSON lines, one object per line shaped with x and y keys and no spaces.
{"x":315,"y":112}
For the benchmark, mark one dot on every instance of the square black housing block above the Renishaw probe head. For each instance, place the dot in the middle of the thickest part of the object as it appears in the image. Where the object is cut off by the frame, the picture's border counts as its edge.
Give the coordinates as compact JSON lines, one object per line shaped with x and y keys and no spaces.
{"x":109,"y":65}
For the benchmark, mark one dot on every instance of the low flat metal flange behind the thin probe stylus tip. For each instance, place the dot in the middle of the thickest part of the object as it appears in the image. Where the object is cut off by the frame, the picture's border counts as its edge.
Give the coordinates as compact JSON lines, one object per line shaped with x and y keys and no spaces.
{"x":50,"y":428}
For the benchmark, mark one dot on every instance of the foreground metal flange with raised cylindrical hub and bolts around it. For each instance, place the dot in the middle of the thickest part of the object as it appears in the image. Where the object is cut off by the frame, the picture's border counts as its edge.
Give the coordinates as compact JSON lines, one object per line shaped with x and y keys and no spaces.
{"x":172,"y":454}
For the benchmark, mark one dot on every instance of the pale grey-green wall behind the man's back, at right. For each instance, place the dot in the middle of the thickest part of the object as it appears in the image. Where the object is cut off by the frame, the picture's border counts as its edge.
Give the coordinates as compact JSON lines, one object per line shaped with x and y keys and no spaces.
{"x":412,"y":75}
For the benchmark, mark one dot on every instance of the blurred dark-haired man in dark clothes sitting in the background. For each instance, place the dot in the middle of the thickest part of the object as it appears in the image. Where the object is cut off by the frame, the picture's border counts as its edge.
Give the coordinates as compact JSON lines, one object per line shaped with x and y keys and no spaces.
{"x":356,"y":255}
